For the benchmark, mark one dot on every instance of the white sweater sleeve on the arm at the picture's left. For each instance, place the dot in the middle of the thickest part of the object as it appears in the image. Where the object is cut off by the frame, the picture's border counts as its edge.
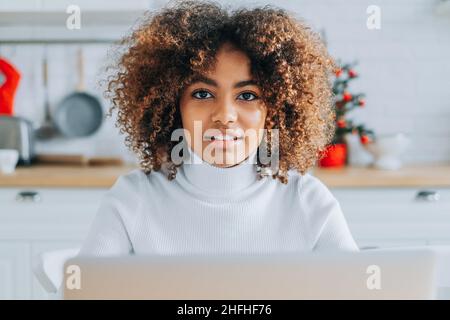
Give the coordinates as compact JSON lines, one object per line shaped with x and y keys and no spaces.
{"x":110,"y":231}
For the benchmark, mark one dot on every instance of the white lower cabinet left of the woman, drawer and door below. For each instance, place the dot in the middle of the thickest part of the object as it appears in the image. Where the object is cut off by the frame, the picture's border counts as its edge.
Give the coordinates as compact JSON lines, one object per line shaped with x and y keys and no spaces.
{"x":45,"y":219}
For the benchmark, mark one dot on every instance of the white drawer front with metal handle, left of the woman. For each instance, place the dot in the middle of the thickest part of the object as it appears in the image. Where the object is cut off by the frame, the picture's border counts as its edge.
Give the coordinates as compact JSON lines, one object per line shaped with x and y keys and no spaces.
{"x":63,"y":214}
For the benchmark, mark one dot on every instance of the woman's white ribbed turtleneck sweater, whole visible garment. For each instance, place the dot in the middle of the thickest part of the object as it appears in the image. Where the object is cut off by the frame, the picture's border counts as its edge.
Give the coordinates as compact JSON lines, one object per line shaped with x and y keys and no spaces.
{"x":208,"y":209}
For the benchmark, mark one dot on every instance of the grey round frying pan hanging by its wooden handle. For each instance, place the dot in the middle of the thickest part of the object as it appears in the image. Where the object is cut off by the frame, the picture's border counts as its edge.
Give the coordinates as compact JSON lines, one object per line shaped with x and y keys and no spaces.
{"x":79,"y":114}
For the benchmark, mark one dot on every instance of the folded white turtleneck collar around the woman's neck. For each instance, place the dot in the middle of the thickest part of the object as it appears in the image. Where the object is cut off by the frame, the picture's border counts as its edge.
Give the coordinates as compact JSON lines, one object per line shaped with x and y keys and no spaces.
{"x":219,"y":181}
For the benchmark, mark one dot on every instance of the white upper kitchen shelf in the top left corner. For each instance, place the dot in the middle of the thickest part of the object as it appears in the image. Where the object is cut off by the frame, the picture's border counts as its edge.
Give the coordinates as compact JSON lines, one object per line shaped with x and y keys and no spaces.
{"x":38,"y":25}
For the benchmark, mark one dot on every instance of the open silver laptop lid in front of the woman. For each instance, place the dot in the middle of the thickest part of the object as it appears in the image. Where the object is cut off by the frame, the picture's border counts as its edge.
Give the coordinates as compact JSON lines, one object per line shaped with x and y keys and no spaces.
{"x":369,"y":274}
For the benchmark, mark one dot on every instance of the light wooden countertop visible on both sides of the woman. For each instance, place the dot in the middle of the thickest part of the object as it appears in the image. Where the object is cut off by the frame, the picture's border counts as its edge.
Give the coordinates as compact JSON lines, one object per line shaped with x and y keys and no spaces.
{"x":46,"y":175}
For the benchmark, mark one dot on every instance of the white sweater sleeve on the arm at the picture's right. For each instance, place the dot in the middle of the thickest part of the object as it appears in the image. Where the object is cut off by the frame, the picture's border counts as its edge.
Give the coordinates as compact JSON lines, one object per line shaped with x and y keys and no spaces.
{"x":327,"y":223}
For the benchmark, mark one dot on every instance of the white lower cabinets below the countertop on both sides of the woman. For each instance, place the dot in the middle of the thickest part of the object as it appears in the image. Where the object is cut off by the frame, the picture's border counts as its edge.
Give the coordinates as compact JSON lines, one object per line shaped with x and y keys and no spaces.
{"x":60,"y":218}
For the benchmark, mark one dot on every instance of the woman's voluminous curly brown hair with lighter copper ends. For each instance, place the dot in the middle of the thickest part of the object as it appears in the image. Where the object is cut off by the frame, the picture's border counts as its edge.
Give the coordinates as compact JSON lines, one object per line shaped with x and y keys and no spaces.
{"x":169,"y":47}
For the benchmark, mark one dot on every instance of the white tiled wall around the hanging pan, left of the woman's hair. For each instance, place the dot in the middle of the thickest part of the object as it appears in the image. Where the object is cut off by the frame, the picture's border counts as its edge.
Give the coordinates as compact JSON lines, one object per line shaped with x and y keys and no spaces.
{"x":62,"y":81}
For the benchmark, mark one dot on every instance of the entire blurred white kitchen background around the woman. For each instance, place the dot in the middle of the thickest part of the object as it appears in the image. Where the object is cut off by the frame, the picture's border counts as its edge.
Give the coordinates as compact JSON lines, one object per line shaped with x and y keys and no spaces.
{"x":389,"y":164}
